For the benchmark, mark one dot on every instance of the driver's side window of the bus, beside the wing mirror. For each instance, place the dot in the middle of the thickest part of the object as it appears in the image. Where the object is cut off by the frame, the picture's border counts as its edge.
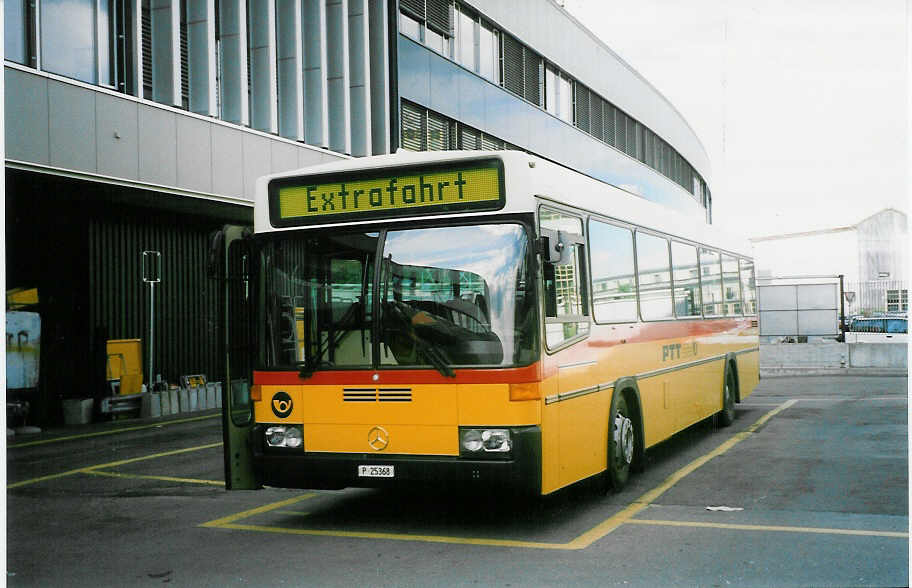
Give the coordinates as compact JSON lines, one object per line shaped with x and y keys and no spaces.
{"x":566,"y":299}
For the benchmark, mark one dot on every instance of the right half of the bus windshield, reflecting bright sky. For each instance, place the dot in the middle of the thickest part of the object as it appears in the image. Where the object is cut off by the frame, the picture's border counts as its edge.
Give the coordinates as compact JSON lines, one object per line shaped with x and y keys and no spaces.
{"x":457,"y":296}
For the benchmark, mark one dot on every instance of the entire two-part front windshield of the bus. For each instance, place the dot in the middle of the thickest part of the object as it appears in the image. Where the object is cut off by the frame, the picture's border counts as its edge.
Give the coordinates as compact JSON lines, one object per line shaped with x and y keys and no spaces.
{"x":446,"y":297}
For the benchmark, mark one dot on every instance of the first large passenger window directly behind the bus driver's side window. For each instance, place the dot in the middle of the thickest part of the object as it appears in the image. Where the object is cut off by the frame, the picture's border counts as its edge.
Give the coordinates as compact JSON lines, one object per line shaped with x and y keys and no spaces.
{"x":613,"y":283}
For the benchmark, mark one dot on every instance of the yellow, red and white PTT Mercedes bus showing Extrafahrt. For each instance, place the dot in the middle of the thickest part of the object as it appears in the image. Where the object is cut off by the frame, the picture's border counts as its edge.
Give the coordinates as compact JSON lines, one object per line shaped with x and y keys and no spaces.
{"x":484,"y":318}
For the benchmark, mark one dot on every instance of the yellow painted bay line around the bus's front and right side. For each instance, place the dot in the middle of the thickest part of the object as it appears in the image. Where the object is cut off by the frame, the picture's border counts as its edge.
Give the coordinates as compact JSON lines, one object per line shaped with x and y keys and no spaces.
{"x":583,"y":541}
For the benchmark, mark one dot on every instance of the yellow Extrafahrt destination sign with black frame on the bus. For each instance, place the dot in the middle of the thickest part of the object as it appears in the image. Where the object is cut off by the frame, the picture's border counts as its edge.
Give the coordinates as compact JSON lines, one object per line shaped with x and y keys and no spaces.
{"x":363,"y":196}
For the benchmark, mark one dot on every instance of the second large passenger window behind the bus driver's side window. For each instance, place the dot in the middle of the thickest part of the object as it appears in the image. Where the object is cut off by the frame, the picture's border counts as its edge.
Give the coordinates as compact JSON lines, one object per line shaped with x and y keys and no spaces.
{"x":654,"y":277}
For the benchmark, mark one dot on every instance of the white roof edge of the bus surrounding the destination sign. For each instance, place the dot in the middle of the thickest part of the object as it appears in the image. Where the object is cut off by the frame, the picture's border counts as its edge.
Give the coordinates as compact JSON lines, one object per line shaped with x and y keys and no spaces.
{"x":528,"y":180}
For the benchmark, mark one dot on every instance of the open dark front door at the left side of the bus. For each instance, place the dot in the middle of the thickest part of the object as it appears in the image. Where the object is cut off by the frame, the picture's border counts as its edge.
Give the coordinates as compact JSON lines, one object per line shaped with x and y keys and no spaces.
{"x":230,"y":262}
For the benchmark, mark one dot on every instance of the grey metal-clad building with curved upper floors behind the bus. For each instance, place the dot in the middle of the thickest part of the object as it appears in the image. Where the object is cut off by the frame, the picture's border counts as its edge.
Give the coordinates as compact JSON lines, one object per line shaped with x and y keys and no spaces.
{"x":141,"y":125}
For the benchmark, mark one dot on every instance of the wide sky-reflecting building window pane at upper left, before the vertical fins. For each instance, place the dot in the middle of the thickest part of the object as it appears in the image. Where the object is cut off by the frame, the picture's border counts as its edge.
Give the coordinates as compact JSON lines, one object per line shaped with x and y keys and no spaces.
{"x":68,"y":38}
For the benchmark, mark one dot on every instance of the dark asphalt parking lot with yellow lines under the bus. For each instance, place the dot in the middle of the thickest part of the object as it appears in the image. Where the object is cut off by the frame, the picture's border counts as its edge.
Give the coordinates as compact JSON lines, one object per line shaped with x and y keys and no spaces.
{"x":809,"y":487}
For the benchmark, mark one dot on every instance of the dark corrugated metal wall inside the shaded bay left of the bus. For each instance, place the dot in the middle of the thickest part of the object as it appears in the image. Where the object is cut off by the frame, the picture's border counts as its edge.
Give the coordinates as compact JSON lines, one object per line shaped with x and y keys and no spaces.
{"x":185,"y":299}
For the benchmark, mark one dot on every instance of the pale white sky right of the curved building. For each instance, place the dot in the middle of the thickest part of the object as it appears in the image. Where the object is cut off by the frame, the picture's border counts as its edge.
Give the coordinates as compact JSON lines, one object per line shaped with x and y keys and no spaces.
{"x":802,"y":105}
